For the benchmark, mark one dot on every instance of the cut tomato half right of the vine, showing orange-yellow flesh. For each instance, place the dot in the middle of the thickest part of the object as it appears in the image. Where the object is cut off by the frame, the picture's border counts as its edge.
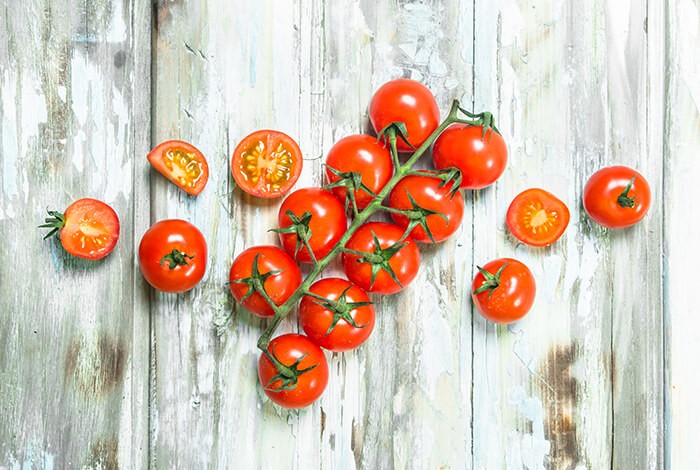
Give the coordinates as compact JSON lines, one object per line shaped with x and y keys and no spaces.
{"x":537,"y":217}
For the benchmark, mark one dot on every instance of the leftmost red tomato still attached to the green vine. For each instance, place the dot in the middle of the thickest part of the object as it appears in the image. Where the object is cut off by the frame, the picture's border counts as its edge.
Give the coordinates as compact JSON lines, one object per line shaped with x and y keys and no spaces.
{"x":279,"y":275}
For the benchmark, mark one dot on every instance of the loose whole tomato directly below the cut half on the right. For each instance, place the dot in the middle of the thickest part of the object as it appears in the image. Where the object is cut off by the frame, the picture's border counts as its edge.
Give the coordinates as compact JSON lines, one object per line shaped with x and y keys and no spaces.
{"x":503,"y":290}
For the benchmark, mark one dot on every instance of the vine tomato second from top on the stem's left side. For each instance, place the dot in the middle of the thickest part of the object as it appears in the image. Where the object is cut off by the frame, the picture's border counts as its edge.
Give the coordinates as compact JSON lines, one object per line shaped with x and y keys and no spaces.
{"x":362,"y":154}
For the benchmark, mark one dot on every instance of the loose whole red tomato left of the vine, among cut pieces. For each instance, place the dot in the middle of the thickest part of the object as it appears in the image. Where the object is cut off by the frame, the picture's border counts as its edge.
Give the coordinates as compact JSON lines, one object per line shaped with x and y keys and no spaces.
{"x":173,"y":256}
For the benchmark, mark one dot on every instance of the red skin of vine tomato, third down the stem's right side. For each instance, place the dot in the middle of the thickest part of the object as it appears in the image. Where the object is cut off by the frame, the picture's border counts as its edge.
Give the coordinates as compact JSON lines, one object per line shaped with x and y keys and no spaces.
{"x":404,"y":263}
